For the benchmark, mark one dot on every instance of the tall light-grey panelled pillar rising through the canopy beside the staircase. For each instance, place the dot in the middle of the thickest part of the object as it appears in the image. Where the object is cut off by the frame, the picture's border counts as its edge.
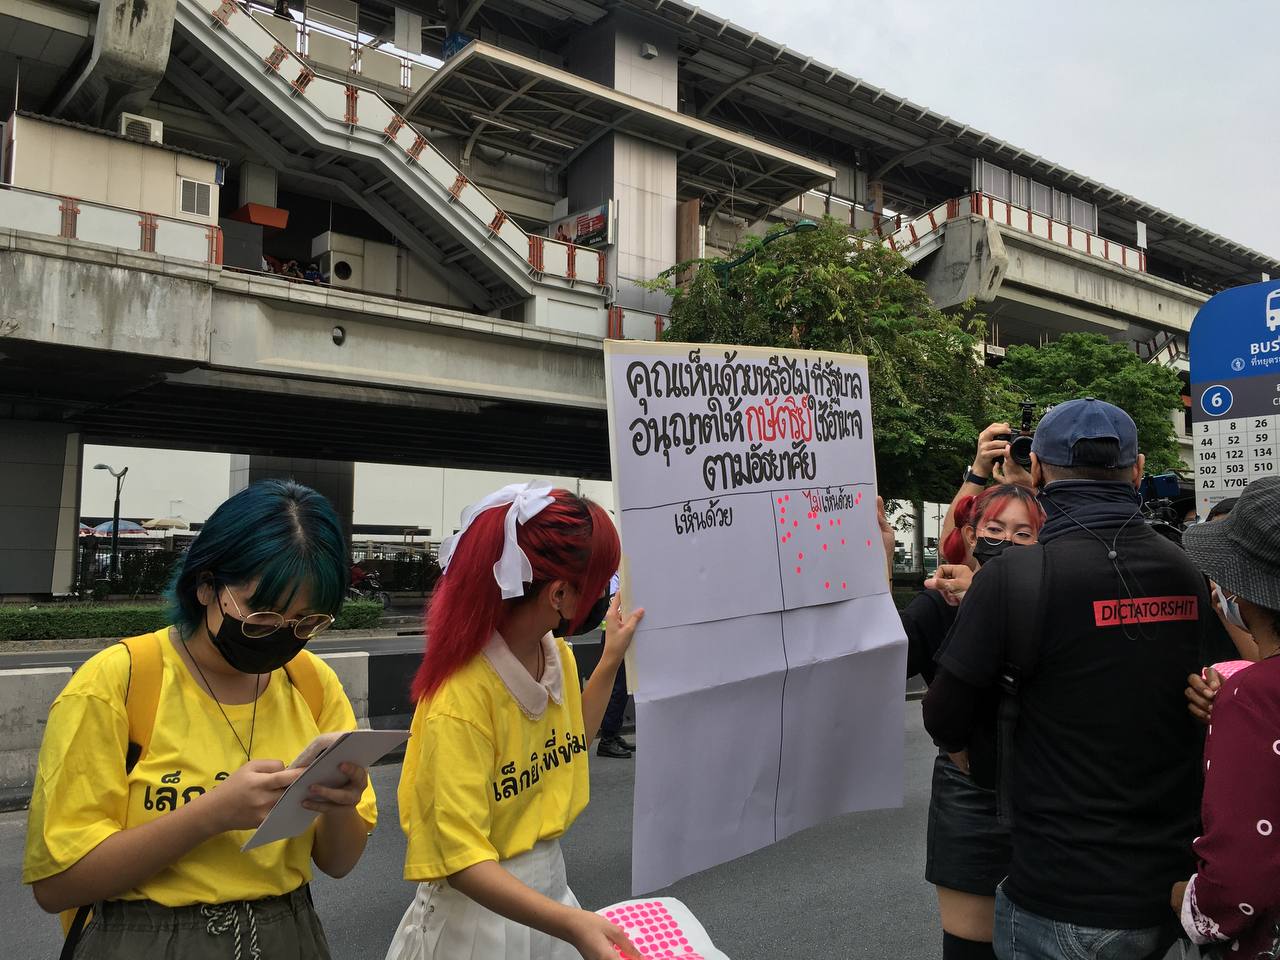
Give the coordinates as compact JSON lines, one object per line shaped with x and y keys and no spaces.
{"x":641,"y":60}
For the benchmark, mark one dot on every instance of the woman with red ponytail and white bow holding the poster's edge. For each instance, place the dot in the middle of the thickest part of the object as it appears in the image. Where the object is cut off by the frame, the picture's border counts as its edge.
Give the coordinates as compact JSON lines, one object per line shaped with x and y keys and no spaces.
{"x":497,"y":767}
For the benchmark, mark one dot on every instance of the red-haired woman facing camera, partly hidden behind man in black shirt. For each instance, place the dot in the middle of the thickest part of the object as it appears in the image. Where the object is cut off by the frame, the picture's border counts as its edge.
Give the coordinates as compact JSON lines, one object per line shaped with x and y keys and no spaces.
{"x":968,"y":849}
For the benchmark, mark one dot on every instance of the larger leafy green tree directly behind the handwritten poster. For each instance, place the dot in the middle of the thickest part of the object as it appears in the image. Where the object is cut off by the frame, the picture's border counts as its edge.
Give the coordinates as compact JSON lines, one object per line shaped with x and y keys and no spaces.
{"x":826,"y":291}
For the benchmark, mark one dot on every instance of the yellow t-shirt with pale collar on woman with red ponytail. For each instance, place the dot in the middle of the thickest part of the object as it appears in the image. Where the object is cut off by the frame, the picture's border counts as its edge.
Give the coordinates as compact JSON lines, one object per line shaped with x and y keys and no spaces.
{"x":496,"y":765}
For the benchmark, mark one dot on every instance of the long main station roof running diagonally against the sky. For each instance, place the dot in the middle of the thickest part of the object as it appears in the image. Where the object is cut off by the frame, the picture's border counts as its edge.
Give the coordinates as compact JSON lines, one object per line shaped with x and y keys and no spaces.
{"x":733,"y":76}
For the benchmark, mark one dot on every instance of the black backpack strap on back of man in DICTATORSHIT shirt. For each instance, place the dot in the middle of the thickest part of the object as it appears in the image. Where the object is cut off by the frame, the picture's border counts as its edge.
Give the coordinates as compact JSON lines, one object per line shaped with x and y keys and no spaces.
{"x":1023,"y":601}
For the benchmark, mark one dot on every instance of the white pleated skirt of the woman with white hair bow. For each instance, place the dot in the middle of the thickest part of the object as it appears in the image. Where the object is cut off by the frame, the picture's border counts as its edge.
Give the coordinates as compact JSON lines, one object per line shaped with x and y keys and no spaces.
{"x":445,"y":925}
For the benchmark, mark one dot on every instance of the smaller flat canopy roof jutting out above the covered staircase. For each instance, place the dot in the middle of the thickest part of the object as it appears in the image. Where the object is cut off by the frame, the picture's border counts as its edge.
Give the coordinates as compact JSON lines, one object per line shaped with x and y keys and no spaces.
{"x":532,"y":109}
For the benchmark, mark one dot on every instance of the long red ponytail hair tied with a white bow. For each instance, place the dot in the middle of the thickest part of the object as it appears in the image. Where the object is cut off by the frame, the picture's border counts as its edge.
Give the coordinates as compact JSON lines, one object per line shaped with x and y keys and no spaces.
{"x":572,"y":540}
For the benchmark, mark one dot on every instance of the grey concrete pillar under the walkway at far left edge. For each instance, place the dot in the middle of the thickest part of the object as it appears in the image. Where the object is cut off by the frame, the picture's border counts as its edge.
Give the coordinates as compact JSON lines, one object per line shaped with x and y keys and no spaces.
{"x":40,"y":470}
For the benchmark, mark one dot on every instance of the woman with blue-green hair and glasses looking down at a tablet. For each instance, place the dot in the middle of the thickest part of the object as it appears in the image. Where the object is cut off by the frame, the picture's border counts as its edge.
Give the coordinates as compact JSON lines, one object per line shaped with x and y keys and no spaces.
{"x":167,"y":751}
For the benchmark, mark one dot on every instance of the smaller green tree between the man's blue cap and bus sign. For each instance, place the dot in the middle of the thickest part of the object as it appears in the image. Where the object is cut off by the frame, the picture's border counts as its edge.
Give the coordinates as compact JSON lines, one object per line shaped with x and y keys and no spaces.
{"x":1090,"y":365}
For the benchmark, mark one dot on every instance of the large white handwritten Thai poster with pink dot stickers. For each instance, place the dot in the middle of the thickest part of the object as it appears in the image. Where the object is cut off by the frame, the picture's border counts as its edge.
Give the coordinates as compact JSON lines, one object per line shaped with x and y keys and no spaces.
{"x":770,"y":668}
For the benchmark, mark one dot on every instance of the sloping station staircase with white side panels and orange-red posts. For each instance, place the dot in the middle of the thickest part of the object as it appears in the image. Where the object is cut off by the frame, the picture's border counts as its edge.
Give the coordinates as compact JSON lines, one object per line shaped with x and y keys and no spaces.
{"x":342,"y":138}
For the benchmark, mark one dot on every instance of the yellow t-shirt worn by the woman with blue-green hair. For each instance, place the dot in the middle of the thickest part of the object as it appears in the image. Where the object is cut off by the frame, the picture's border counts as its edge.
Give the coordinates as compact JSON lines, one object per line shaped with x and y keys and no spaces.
{"x":83,"y":794}
